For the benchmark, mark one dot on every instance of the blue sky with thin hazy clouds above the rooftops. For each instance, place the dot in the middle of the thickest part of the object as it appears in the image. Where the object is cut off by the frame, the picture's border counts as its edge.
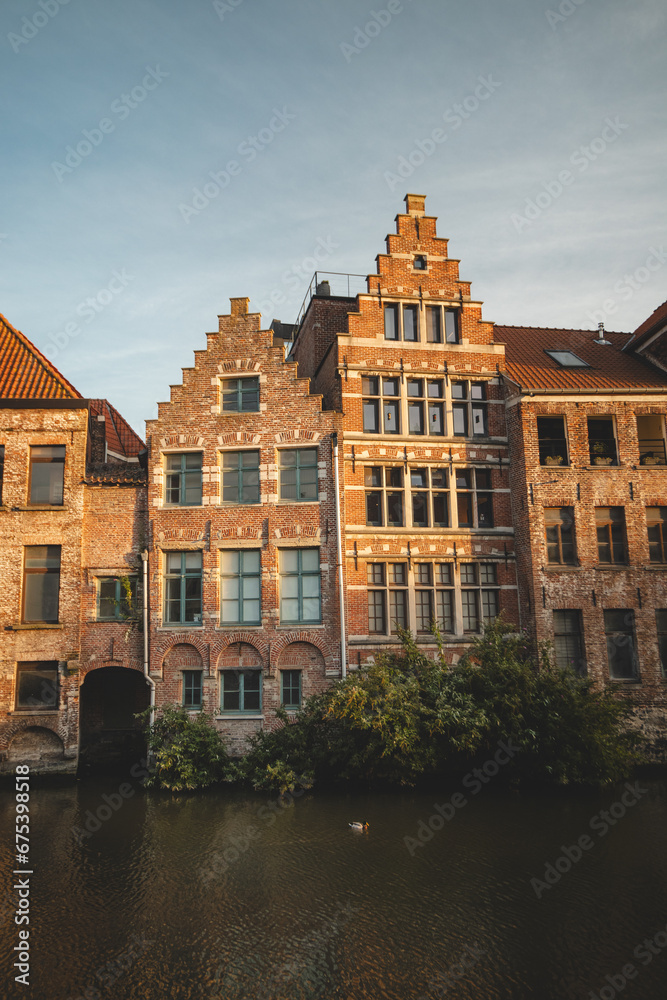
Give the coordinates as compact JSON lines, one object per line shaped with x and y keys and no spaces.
{"x":160,"y":157}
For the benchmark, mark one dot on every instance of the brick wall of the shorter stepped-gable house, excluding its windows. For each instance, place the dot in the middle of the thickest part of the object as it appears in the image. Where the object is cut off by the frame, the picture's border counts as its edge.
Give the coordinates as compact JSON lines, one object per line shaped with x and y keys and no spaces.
{"x":289,"y":415}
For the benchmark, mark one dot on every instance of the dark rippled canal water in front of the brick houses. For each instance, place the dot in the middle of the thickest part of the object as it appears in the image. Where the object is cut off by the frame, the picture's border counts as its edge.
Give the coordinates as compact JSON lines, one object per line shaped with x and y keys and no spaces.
{"x":224,"y":894}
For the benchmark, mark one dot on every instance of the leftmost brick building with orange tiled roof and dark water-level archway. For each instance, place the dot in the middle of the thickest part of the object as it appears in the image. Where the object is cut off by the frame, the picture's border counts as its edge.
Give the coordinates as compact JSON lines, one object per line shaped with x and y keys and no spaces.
{"x":71,"y":501}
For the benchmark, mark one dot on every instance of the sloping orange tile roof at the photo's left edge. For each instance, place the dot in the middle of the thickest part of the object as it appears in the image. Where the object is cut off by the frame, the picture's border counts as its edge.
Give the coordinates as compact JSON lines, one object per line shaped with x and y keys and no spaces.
{"x":26,"y":373}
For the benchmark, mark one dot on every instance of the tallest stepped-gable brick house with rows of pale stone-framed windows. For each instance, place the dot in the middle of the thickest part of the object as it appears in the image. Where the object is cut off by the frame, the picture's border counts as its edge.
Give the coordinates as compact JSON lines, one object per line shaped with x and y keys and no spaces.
{"x":415,"y":371}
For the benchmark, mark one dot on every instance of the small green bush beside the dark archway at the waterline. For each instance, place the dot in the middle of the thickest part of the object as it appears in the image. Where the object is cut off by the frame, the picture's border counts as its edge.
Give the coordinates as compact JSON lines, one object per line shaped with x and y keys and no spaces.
{"x":187,"y":751}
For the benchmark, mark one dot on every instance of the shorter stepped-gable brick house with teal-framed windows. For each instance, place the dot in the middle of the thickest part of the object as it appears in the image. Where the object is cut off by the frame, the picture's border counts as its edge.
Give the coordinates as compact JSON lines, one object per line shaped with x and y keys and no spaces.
{"x":243,"y":595}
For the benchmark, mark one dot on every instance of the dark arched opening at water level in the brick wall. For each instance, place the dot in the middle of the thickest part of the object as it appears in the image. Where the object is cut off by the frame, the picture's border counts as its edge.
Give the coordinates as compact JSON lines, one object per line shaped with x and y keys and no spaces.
{"x":110,"y":735}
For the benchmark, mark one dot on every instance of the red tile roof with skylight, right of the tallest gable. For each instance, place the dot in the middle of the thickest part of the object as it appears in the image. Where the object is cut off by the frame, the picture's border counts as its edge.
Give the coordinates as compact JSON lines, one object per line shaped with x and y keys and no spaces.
{"x":529,"y":365}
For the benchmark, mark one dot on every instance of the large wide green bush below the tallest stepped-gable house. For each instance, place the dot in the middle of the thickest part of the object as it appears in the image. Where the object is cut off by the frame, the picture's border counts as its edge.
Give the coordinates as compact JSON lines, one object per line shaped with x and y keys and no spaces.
{"x":406,"y":718}
